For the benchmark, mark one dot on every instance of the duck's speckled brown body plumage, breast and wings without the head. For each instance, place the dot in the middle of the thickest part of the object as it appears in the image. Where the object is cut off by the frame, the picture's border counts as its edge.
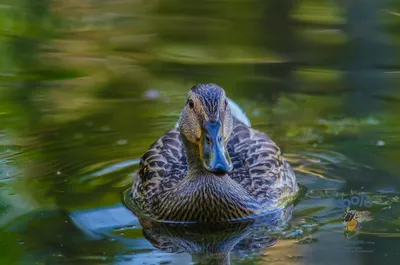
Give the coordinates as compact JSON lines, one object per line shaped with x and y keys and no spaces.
{"x":260,"y":180}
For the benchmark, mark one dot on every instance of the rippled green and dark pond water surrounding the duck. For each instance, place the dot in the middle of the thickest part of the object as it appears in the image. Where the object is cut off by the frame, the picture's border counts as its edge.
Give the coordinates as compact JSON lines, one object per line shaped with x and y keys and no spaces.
{"x":87,"y":86}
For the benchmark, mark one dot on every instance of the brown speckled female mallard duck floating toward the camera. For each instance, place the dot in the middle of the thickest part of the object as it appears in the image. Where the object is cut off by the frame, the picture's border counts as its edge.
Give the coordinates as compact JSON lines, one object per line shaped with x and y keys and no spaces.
{"x":211,"y":167}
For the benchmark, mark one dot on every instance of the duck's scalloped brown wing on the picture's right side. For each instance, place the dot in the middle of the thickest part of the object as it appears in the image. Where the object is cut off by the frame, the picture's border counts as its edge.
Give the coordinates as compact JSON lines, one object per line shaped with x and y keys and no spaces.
{"x":258,"y":165}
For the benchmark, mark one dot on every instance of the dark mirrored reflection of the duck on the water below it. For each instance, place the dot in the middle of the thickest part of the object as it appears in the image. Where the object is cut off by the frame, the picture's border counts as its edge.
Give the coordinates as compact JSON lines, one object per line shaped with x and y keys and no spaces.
{"x":212,"y":244}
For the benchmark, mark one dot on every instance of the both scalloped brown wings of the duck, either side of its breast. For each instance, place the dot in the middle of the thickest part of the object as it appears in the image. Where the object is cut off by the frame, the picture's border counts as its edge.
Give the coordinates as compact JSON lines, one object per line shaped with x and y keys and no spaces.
{"x":258,"y":166}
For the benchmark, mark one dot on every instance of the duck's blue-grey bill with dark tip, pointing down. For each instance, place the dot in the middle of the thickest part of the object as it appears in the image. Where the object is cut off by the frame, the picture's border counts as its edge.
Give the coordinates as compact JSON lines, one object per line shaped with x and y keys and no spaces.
{"x":213,"y":149}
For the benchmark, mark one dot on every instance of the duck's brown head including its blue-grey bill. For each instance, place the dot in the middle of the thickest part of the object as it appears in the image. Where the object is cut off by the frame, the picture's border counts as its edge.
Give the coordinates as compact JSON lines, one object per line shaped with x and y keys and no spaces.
{"x":206,"y":121}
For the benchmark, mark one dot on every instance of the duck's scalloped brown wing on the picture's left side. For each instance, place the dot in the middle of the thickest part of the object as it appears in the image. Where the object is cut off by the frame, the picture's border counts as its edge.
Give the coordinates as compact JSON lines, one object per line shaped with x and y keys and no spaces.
{"x":161,"y":167}
